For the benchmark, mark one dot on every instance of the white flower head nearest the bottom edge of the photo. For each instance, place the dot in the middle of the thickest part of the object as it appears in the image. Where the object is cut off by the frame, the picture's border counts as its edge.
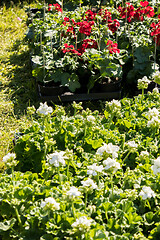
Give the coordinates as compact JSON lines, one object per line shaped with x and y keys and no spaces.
{"x":82,"y":224}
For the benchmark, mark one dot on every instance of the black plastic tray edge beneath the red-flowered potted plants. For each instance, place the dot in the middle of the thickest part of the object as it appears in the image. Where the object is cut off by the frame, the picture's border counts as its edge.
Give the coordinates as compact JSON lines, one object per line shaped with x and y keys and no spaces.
{"x":69,"y":97}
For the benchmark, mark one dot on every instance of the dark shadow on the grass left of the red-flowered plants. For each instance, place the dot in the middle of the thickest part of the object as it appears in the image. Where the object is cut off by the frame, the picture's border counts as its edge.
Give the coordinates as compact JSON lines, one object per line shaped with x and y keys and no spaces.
{"x":22,"y":84}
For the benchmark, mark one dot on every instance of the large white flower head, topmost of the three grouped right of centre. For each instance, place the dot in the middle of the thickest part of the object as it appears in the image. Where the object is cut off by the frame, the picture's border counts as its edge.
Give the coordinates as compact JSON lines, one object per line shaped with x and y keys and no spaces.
{"x":108,"y":148}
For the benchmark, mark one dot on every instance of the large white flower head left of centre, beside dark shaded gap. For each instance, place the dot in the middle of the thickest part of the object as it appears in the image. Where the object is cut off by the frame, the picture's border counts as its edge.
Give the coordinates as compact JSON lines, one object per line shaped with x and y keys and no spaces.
{"x":56,"y":158}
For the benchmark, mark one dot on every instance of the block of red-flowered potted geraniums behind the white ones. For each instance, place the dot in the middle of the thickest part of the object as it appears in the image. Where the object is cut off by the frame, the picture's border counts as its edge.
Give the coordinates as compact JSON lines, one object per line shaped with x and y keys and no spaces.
{"x":85,"y":46}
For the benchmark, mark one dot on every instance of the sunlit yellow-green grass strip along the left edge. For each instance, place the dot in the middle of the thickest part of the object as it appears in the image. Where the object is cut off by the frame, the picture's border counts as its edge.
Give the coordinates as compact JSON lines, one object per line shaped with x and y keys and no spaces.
{"x":17,"y":87}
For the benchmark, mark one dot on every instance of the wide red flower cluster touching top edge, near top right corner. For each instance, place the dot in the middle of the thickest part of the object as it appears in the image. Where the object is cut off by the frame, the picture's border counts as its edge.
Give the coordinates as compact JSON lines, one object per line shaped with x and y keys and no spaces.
{"x":138,"y":14}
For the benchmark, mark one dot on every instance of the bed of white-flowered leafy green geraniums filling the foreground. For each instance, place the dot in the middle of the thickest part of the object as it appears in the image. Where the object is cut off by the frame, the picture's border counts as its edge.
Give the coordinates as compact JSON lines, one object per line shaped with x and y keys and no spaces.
{"x":85,"y":175}
